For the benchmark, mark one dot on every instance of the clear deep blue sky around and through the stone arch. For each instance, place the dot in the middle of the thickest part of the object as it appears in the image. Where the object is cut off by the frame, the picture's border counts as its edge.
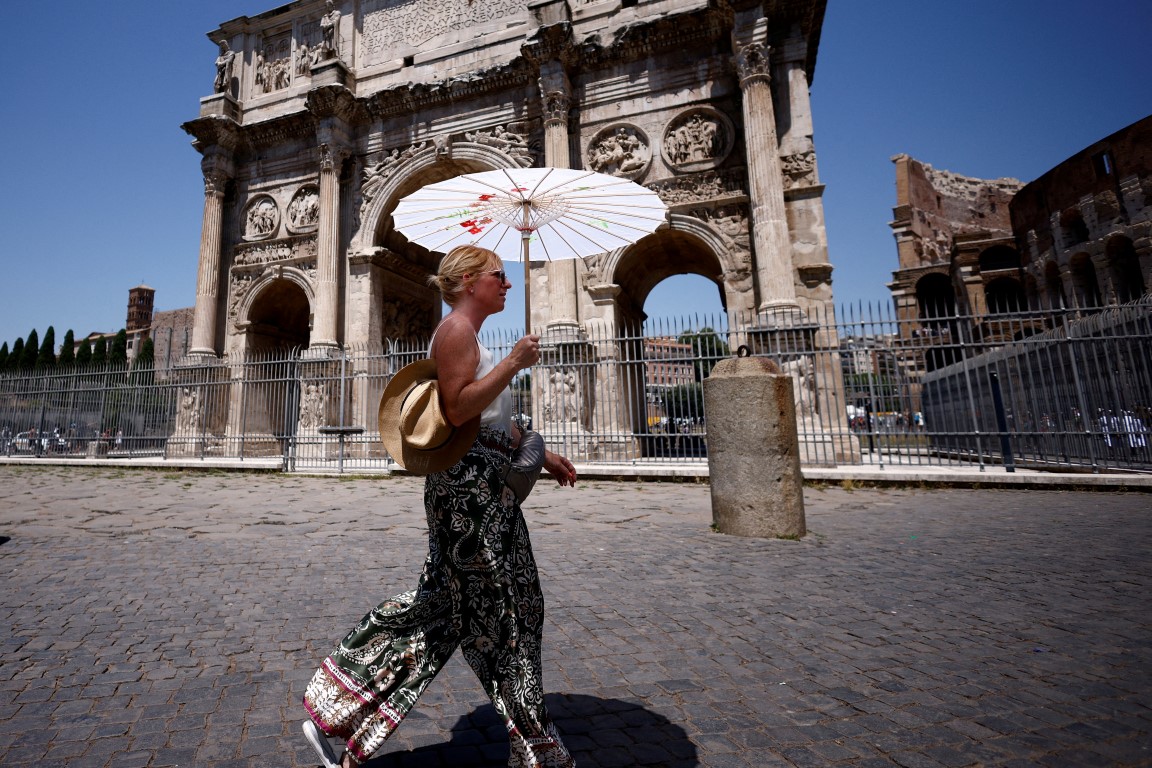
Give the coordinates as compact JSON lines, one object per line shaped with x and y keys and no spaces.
{"x":103,"y":191}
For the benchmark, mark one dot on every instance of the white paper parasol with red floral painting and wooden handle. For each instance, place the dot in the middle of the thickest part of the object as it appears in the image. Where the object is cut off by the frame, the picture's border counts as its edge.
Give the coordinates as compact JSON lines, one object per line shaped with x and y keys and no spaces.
{"x":527,"y":215}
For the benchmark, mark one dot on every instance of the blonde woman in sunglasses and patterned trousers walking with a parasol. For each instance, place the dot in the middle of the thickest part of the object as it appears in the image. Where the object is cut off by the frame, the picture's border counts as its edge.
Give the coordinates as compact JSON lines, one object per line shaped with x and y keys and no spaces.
{"x":480,"y":590}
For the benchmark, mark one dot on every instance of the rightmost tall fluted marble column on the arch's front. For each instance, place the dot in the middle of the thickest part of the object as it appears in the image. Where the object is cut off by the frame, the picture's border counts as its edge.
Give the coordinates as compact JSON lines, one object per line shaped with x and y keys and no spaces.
{"x":775,"y":270}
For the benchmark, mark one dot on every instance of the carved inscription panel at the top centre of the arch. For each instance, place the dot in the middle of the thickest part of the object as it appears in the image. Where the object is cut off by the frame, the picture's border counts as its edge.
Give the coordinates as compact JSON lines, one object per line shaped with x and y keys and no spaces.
{"x":397,"y":28}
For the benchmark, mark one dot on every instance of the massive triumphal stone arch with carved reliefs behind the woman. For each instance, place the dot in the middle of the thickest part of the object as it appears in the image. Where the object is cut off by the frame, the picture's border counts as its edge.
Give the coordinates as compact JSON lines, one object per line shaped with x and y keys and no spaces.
{"x":325,"y":115}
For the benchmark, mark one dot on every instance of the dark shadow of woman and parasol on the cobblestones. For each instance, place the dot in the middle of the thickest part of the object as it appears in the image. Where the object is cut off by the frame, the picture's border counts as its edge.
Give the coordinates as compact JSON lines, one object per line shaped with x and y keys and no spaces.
{"x":597,"y":733}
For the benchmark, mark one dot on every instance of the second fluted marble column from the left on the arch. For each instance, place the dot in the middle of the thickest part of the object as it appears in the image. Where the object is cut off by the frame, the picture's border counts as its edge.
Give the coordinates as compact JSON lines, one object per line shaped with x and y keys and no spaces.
{"x":328,"y":262}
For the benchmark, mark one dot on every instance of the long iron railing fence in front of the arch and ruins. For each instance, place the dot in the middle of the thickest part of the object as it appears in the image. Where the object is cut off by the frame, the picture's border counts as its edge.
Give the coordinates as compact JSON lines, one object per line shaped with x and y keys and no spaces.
{"x":1058,"y":390}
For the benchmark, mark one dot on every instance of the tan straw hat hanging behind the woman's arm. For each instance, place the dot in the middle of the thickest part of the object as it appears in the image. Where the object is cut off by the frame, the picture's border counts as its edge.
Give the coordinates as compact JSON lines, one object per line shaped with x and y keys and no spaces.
{"x":414,"y":428}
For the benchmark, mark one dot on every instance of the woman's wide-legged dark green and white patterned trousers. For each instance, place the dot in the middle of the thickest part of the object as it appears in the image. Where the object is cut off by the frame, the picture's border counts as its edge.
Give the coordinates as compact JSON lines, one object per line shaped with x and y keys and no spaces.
{"x":480,"y":591}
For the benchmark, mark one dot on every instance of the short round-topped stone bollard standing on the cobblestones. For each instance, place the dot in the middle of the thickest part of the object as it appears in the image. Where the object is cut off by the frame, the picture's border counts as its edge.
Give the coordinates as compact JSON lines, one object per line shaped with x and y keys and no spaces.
{"x":754,"y":453}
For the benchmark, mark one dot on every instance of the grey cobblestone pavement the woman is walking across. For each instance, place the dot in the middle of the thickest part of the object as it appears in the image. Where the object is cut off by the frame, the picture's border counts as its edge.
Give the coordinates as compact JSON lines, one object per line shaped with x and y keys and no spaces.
{"x":173,"y":619}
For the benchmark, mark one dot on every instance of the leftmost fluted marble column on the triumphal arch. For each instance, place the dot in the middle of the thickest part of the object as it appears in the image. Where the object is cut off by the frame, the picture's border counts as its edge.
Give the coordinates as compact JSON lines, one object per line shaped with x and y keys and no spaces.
{"x":218,"y":170}
